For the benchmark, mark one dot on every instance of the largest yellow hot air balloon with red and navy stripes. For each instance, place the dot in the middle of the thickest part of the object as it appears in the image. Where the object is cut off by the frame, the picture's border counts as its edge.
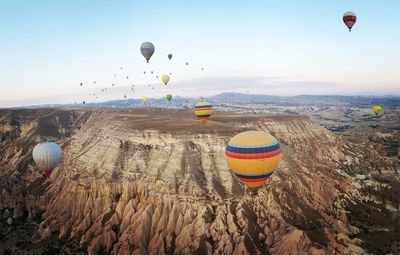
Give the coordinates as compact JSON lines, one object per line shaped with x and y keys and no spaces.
{"x":253,"y":156}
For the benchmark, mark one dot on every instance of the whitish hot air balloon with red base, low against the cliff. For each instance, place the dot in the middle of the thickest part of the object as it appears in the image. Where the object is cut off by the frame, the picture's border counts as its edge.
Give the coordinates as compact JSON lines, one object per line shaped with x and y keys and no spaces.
{"x":47,"y":156}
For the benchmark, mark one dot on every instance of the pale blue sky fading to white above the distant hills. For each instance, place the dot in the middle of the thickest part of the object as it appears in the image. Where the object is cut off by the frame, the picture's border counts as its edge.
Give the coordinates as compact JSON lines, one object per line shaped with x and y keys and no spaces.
{"x":47,"y":47}
